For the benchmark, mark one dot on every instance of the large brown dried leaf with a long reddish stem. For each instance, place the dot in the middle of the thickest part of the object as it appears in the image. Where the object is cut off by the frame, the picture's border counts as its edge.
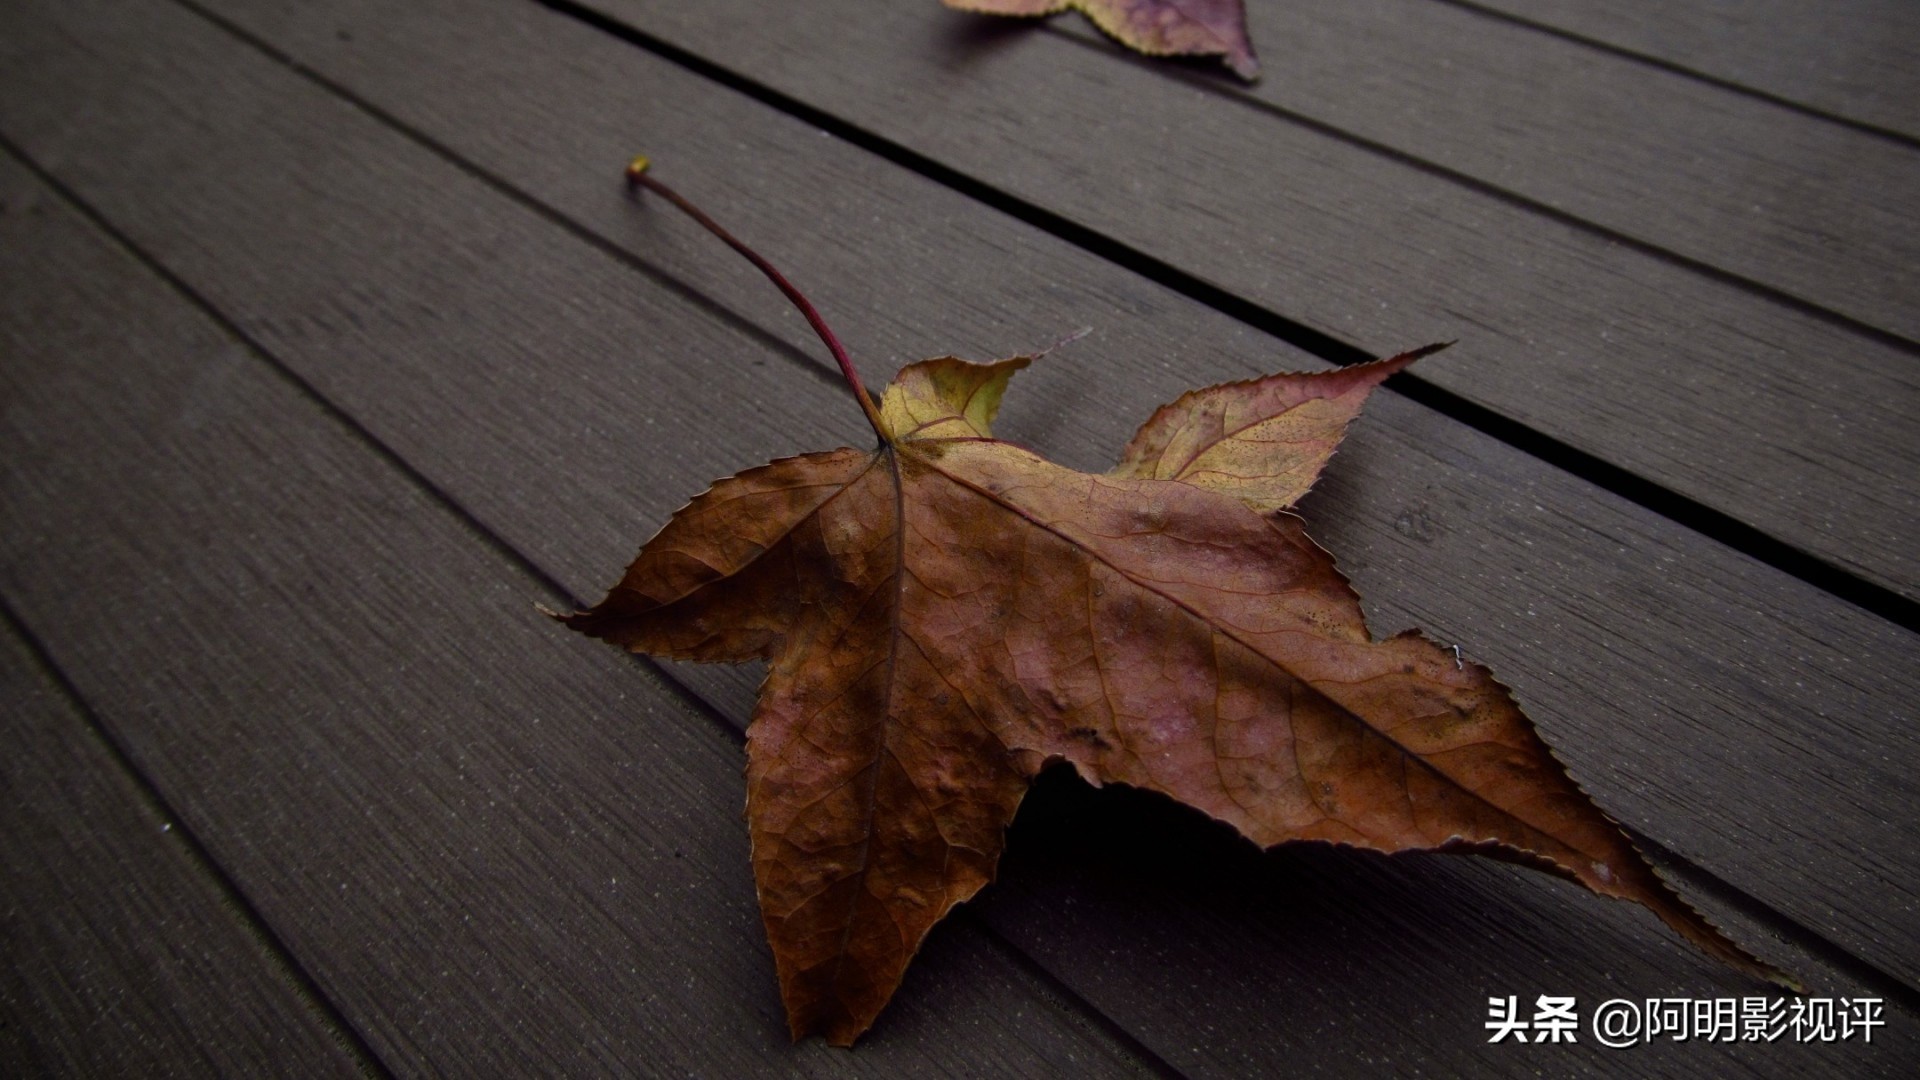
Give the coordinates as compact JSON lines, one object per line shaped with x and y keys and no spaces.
{"x":949,"y":614}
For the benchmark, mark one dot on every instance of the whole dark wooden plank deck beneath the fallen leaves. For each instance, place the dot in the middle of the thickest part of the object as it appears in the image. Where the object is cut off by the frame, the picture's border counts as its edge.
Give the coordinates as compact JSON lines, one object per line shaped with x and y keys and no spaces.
{"x":331,"y":345}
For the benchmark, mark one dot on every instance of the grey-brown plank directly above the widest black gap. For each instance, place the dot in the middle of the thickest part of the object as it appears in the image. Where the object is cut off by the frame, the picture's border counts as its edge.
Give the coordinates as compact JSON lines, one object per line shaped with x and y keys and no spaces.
{"x":1788,"y":424}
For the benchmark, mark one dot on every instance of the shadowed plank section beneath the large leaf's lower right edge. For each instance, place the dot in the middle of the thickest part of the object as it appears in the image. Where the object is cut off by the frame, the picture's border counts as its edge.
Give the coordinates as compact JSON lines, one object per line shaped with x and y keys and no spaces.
{"x":1341,"y":964}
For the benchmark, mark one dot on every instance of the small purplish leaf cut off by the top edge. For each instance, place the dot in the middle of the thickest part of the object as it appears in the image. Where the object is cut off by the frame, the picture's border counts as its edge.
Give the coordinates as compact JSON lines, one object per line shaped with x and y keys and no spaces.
{"x":1157,"y":28}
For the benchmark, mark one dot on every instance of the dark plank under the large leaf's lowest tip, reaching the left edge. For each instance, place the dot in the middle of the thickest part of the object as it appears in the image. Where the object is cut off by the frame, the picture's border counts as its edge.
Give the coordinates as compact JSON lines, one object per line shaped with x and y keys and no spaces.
{"x":496,"y":850}
